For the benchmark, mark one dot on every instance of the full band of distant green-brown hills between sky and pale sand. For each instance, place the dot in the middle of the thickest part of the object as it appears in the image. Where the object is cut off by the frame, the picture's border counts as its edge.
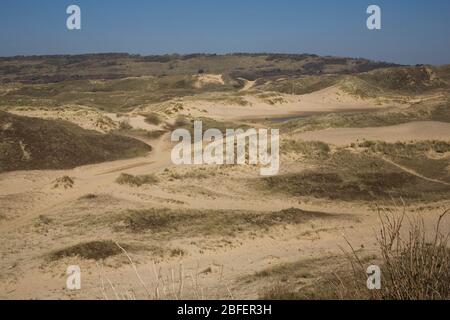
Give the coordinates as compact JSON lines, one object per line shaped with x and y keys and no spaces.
{"x":122,"y":82}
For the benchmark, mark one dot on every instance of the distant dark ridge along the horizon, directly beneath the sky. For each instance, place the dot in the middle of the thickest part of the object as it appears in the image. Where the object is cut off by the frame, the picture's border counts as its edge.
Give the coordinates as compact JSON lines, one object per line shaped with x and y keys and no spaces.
{"x":48,"y":69}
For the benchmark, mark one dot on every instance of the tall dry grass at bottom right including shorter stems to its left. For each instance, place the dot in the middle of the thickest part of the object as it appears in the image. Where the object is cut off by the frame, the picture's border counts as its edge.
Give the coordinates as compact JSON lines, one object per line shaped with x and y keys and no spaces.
{"x":415,"y":263}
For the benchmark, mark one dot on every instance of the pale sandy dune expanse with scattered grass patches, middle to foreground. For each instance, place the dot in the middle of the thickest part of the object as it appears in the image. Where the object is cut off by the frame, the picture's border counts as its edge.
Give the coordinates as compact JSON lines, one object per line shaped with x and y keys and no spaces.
{"x":219,"y":224}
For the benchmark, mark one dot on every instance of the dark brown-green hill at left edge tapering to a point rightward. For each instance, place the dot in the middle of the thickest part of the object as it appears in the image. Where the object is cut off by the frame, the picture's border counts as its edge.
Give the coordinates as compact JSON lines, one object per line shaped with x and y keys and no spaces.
{"x":30,"y":143}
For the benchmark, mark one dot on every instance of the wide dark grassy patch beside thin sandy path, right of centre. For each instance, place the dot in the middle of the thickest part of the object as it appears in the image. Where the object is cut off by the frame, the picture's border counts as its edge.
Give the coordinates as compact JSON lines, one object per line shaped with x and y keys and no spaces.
{"x":349,"y":176}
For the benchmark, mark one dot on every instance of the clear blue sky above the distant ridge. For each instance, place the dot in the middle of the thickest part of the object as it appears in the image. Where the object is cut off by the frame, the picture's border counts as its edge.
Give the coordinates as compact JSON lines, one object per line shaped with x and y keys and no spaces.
{"x":413,"y":31}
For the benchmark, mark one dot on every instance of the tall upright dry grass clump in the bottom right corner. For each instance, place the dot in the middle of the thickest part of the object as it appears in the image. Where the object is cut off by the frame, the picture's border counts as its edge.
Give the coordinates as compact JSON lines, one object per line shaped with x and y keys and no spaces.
{"x":416,"y":268}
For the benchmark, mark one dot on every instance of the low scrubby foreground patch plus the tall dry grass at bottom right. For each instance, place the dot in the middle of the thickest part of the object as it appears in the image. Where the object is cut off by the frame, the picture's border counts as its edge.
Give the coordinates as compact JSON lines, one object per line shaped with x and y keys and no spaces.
{"x":415,"y":265}
